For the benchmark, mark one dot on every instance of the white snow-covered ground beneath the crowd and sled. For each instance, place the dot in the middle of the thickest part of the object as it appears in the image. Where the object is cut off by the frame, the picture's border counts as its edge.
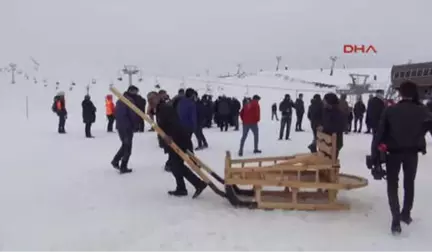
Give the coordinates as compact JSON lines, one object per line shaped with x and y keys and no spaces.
{"x":59,"y":192}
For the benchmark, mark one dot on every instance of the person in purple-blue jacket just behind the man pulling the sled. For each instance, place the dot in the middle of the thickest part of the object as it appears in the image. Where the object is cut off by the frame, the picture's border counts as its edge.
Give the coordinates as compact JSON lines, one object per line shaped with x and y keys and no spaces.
{"x":187,"y":111}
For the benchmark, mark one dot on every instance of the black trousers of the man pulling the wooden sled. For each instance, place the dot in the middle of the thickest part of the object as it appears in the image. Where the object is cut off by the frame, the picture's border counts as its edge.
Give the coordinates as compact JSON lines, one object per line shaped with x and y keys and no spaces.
{"x":180,"y":171}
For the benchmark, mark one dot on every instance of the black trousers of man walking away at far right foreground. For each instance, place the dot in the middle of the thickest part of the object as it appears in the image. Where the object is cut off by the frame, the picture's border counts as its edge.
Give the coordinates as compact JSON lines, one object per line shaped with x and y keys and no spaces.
{"x":394,"y":162}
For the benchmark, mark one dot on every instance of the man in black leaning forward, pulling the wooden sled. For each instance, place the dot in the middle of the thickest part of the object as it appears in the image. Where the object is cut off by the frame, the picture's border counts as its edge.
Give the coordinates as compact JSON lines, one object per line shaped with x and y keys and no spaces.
{"x":169,"y":122}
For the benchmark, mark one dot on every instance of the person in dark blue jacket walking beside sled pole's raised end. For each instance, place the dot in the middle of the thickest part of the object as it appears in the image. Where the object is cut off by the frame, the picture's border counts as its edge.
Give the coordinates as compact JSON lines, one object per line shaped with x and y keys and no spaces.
{"x":127,"y":122}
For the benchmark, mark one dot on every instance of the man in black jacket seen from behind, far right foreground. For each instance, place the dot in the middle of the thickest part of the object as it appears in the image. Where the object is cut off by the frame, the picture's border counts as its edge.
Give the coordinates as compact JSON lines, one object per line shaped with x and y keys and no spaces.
{"x":402,"y":131}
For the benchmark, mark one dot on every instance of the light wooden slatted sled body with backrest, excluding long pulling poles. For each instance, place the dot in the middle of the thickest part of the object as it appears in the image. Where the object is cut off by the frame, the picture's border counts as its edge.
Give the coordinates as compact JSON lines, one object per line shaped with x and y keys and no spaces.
{"x":309,"y":181}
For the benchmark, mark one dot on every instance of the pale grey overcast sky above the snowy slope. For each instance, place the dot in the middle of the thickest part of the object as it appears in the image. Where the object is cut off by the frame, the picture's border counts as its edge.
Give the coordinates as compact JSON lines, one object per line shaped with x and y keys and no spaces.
{"x":183,"y":37}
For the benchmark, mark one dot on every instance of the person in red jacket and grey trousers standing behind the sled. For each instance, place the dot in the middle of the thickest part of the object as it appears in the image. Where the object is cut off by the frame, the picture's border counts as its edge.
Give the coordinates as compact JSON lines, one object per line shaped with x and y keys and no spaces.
{"x":250,"y":116}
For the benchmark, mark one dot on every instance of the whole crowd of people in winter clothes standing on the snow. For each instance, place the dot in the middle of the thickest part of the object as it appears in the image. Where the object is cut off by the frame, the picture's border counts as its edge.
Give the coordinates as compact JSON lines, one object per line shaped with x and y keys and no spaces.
{"x":186,"y":114}
